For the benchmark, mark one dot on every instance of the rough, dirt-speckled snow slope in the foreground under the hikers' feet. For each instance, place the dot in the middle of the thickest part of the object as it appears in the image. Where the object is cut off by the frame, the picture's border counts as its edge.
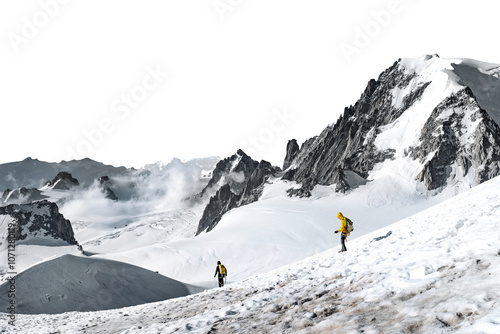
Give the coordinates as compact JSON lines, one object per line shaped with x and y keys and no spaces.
{"x":434,"y":272}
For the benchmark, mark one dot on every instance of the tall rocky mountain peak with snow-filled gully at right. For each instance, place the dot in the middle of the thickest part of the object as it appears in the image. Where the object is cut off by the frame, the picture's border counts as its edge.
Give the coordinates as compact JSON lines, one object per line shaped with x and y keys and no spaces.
{"x":446,"y":131}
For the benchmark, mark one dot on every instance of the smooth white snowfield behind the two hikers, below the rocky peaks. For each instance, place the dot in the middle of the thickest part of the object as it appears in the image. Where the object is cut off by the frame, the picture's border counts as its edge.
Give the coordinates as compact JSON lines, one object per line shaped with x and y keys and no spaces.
{"x":274,"y":231}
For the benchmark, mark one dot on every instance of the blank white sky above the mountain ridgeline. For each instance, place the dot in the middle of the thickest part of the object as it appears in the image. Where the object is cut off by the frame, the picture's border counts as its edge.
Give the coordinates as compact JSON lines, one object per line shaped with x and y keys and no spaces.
{"x":79,"y":84}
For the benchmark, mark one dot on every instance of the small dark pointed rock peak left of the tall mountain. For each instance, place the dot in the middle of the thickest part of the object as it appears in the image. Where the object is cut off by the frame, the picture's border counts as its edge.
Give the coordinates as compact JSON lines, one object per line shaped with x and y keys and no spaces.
{"x":237,"y":181}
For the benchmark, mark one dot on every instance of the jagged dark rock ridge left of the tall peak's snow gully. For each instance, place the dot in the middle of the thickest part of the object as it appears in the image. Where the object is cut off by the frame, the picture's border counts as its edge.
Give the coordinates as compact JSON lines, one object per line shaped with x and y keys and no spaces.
{"x":344,"y":153}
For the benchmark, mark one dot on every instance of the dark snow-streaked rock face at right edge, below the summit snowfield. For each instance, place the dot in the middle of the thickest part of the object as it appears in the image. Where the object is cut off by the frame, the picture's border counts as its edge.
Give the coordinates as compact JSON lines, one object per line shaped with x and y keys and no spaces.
{"x":441,"y":135}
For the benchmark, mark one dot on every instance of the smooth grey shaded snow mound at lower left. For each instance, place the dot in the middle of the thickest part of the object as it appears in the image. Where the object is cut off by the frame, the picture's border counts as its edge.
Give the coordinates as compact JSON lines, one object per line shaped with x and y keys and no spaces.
{"x":79,"y":283}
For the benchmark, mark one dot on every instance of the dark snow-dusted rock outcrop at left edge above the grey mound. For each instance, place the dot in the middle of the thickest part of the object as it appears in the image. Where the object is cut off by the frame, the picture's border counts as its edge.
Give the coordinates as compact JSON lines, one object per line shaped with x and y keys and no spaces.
{"x":39,"y":219}
